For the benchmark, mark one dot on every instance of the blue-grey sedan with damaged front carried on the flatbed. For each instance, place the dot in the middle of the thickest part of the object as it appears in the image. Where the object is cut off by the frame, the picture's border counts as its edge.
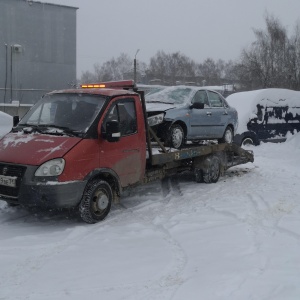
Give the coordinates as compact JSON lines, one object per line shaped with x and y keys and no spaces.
{"x":178,"y":114}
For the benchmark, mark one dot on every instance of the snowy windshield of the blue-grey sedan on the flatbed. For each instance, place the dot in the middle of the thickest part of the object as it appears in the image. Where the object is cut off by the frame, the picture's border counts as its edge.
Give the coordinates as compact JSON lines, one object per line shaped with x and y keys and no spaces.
{"x":172,"y":95}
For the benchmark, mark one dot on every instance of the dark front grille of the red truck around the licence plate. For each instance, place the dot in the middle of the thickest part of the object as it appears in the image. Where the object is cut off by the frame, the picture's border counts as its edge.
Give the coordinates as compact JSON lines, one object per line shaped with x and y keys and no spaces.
{"x":11,"y":170}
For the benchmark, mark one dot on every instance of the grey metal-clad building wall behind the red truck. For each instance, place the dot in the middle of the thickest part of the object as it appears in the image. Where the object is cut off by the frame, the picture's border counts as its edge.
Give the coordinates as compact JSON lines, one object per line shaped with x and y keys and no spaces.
{"x":37,"y":49}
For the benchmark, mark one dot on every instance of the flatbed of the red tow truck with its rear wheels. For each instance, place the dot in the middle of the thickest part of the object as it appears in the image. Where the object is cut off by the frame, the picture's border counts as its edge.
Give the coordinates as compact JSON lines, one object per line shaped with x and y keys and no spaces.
{"x":207,"y":162}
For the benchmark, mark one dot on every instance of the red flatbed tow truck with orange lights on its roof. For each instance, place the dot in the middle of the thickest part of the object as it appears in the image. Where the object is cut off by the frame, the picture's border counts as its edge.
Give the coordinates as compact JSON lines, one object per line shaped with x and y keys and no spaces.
{"x":82,"y":148}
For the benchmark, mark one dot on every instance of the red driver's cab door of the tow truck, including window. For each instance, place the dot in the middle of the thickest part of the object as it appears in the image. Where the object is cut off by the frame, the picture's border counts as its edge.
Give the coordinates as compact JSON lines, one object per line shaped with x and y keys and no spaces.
{"x":126,"y":157}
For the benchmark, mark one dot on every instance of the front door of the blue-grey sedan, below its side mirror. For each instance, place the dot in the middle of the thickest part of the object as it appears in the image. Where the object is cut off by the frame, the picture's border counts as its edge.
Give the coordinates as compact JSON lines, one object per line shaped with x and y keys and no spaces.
{"x":201,"y":118}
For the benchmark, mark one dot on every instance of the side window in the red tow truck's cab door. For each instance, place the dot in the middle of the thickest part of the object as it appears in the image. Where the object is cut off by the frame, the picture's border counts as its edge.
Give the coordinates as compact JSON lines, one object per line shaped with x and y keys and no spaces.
{"x":124,"y":112}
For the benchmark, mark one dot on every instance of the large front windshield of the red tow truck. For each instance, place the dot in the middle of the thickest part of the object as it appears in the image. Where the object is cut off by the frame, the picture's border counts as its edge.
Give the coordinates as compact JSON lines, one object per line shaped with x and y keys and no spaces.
{"x":67,"y":112}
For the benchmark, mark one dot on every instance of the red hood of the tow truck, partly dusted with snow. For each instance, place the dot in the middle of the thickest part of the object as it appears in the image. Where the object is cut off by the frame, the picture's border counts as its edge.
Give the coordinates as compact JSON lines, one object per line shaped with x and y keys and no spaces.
{"x":34,"y":149}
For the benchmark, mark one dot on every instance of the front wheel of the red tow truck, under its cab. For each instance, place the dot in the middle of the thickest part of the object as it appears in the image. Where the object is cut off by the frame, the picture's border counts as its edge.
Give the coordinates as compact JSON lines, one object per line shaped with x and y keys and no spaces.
{"x":96,"y":201}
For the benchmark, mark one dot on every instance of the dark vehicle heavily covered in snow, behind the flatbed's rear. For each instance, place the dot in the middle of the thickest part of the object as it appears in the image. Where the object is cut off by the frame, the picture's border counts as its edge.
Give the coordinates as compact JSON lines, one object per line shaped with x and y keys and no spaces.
{"x":266,"y":115}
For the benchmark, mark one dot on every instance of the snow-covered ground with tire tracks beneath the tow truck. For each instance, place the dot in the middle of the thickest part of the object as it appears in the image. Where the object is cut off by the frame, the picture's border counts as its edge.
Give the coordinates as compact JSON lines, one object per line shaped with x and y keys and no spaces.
{"x":238,"y":239}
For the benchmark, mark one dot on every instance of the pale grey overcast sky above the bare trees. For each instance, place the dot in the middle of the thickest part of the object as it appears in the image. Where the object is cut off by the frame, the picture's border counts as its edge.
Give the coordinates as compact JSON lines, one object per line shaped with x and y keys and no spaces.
{"x":199,"y":29}
